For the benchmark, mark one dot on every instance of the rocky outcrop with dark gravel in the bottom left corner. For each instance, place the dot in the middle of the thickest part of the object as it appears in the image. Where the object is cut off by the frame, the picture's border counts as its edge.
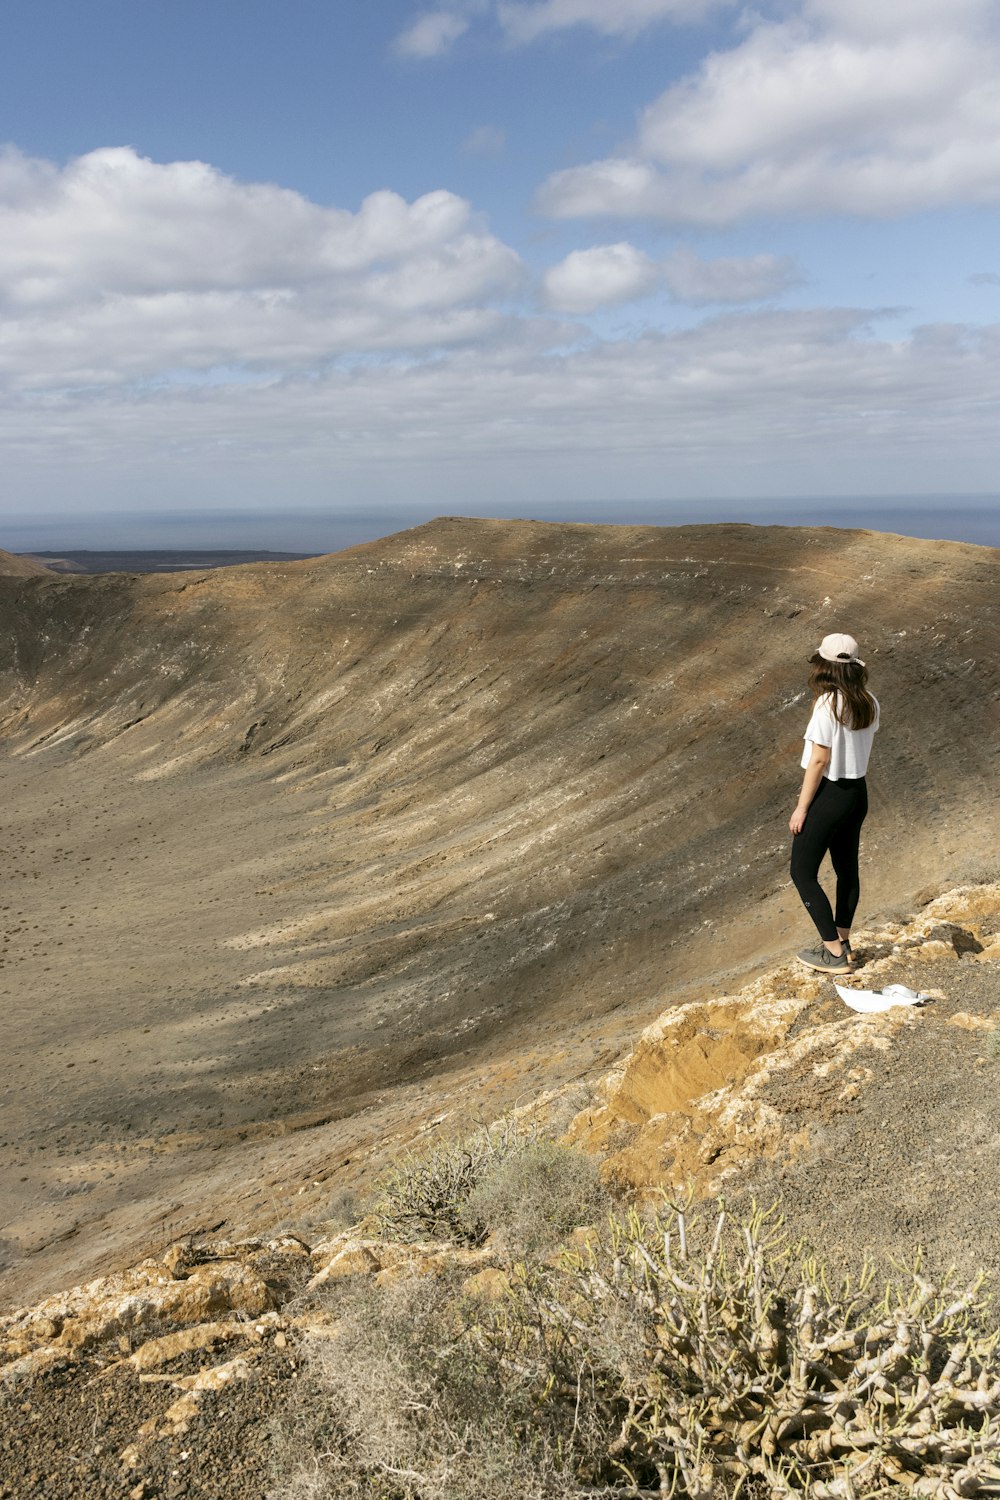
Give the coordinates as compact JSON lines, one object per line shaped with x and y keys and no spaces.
{"x":178,"y":1348}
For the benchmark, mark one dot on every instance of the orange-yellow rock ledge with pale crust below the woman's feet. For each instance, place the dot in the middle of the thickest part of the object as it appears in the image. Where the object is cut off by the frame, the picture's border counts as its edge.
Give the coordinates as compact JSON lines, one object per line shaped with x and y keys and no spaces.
{"x":698,"y":1097}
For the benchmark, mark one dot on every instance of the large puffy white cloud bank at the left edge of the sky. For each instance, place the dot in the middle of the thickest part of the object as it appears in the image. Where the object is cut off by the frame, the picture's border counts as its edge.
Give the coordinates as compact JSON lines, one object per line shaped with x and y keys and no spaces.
{"x":121,"y":269}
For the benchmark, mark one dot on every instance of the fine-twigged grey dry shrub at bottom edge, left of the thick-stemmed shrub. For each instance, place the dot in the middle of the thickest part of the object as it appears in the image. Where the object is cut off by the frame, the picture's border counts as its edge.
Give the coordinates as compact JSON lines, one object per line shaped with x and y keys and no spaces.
{"x":407,"y":1405}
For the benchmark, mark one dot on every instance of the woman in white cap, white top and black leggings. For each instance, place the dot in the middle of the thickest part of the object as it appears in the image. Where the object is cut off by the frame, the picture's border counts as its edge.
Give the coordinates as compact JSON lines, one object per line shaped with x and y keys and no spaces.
{"x":834,"y":797}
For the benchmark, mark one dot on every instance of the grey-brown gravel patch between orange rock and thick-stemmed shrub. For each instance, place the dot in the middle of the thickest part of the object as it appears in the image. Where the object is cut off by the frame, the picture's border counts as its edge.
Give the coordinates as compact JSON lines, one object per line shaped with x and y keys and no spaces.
{"x":914,"y":1163}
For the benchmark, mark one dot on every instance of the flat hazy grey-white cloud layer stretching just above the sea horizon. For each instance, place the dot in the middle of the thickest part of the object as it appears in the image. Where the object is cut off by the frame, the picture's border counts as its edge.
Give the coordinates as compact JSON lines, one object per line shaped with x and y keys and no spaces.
{"x":764,"y":403}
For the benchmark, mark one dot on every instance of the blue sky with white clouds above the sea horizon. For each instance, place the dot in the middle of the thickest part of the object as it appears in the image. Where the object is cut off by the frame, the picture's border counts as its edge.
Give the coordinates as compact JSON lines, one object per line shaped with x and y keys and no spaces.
{"x":370,"y":256}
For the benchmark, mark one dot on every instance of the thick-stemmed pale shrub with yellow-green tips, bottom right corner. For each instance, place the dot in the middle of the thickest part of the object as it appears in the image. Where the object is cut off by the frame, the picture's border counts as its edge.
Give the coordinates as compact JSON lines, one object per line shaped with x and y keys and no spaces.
{"x":740,"y":1364}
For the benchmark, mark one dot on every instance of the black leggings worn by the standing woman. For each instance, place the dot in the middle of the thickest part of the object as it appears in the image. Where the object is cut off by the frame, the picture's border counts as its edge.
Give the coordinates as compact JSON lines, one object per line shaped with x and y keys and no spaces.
{"x":833,"y":823}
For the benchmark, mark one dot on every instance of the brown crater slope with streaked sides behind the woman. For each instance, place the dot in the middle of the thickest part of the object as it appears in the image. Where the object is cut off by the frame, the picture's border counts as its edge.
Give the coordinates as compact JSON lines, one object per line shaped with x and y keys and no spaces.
{"x":413,"y":830}
